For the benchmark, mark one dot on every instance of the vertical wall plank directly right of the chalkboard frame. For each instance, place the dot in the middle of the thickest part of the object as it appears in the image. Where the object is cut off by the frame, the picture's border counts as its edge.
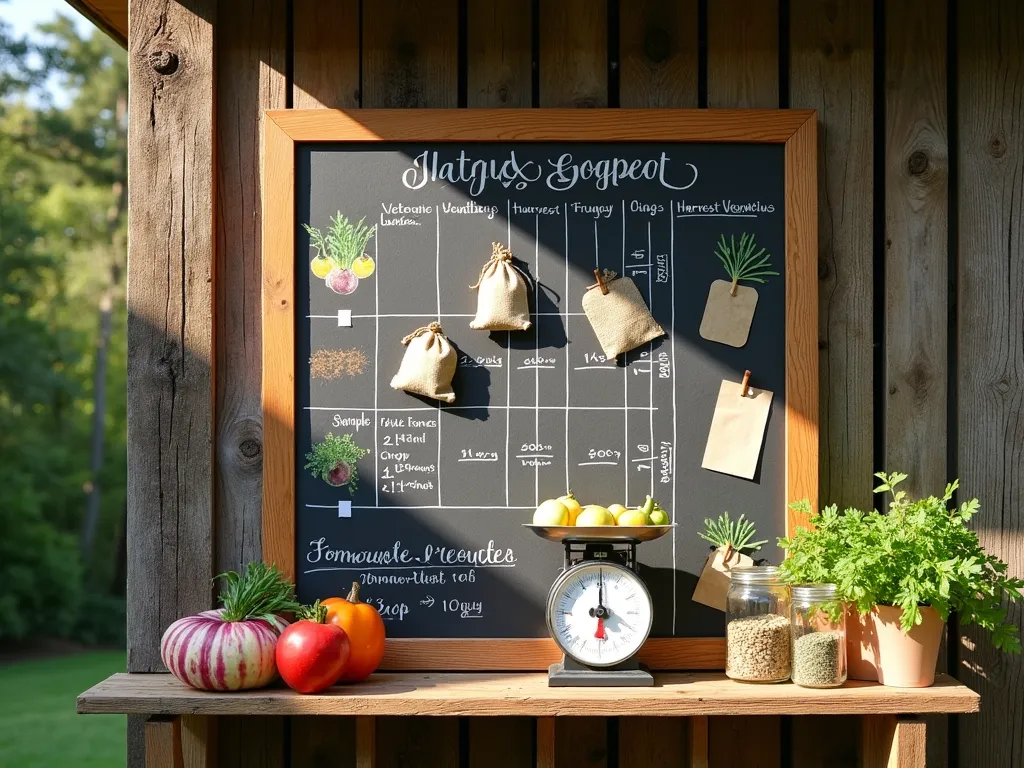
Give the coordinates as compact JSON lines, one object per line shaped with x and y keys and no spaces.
{"x":832,"y":71}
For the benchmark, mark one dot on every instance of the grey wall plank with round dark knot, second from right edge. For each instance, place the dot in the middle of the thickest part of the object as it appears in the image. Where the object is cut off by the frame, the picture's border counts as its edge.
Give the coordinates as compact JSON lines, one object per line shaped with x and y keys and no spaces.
{"x":916,"y":243}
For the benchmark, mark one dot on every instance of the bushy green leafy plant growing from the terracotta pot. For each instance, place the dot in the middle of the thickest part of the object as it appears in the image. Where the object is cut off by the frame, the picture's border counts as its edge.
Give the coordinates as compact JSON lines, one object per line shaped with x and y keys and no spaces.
{"x":919,"y":553}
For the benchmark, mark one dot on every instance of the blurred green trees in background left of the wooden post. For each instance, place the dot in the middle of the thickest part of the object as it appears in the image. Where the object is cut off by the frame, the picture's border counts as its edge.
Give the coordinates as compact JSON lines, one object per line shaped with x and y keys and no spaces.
{"x":63,"y":228}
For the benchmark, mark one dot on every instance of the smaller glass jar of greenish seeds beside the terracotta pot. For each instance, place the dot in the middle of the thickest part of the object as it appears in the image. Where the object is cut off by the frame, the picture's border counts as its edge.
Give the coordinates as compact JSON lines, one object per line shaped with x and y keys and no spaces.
{"x":819,"y":637}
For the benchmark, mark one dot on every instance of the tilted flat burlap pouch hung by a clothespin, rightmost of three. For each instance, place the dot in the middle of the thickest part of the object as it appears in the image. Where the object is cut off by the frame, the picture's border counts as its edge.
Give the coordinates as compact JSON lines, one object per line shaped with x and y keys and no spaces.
{"x":621,"y":319}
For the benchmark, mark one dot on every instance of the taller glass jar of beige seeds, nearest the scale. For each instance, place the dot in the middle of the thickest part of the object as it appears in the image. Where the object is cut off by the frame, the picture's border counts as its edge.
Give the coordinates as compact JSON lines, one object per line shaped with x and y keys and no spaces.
{"x":757,"y":630}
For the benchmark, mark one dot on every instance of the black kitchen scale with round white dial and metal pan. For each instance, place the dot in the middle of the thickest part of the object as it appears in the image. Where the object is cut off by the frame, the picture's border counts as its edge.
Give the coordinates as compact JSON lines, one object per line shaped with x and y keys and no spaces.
{"x":600,"y":612}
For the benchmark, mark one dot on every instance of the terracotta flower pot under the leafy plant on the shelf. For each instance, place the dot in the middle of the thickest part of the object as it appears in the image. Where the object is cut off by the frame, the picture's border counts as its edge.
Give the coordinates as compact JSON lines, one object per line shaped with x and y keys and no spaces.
{"x":878,"y":649}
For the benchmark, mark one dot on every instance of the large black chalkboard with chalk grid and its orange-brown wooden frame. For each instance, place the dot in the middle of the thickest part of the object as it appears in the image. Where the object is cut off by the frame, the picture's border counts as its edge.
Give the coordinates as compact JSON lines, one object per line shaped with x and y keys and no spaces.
{"x":433,"y":529}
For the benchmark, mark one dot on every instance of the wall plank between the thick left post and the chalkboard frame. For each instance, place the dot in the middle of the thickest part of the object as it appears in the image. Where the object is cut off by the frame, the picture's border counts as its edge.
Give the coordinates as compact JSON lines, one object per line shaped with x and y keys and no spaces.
{"x":250,"y":78}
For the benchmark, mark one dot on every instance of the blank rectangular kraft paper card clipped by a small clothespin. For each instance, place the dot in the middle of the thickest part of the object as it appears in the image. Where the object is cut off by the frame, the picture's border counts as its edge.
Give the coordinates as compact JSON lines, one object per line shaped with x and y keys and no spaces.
{"x":738,"y":431}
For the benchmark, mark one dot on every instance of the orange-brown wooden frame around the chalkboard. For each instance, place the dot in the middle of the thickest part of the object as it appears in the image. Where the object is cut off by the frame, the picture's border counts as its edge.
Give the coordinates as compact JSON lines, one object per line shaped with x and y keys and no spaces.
{"x":797,"y":130}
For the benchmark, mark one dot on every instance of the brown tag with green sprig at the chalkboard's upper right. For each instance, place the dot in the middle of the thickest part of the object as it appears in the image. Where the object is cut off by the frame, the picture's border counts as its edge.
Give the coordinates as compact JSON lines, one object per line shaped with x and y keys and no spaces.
{"x":730,"y":311}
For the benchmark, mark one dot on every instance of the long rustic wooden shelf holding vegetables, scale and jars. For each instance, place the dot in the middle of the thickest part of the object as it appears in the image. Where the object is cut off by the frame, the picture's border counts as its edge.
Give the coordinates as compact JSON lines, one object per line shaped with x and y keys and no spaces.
{"x":503,"y":695}
